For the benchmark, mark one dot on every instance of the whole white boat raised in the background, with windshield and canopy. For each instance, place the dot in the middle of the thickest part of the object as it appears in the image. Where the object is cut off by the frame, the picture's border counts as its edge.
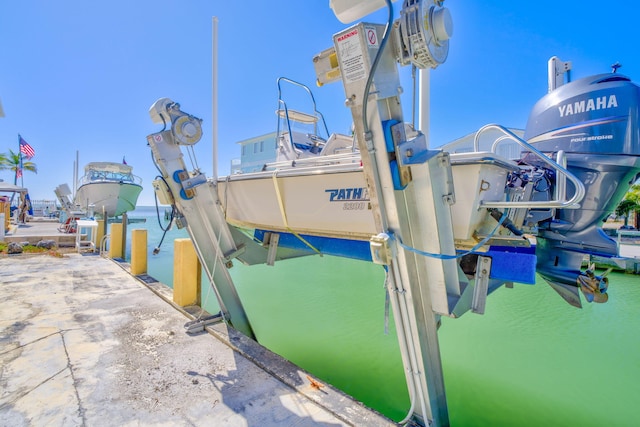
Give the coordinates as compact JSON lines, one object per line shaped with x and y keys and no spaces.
{"x":108,"y":188}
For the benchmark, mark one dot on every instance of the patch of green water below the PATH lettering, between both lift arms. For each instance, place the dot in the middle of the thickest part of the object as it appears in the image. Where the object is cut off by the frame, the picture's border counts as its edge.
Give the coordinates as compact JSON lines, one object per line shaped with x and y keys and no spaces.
{"x":327,"y":316}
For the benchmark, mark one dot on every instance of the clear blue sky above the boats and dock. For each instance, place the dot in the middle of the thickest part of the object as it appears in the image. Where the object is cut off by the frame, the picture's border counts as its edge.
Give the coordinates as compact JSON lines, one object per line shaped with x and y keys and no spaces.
{"x":78,"y":75}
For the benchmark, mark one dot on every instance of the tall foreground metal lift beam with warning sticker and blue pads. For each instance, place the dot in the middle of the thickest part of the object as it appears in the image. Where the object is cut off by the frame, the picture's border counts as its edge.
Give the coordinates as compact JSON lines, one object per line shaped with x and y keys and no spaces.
{"x":410,"y":191}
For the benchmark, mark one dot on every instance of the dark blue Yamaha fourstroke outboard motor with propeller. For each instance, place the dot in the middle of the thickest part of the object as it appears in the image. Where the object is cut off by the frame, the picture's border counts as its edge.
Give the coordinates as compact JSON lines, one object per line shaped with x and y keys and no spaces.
{"x":594,"y":121}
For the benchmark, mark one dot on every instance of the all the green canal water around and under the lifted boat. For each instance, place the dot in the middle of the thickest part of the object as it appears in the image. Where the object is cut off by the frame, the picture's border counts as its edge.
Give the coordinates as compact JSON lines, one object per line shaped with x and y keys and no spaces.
{"x":530,"y":359}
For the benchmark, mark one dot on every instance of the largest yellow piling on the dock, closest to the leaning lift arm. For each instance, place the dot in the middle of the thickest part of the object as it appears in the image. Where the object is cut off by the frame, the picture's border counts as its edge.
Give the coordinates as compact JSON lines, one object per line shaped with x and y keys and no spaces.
{"x":186,"y":273}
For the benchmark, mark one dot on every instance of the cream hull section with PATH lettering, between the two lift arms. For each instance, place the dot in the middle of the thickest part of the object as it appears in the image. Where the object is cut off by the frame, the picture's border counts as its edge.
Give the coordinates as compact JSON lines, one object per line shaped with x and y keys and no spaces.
{"x":326,"y":204}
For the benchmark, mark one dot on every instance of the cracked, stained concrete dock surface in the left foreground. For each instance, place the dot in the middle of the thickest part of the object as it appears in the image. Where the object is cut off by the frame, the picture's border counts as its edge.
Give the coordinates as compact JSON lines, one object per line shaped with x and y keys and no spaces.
{"x":84,"y":343}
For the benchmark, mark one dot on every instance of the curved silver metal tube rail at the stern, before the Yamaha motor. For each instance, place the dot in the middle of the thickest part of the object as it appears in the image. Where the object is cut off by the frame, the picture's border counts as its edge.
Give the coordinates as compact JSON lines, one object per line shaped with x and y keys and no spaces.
{"x":561,"y":173}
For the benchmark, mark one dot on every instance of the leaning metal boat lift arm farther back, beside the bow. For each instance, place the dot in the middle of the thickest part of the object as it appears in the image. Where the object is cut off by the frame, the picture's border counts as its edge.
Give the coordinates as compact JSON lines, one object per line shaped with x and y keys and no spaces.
{"x":198,"y":203}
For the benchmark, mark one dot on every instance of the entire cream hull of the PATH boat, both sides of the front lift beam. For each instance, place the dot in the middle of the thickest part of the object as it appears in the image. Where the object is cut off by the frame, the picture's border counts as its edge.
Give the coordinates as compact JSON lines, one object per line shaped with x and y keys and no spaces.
{"x":333,"y":201}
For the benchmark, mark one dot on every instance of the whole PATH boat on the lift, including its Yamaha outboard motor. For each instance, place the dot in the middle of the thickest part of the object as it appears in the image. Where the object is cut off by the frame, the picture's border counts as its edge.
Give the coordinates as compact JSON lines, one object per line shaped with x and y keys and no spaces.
{"x":319,"y":203}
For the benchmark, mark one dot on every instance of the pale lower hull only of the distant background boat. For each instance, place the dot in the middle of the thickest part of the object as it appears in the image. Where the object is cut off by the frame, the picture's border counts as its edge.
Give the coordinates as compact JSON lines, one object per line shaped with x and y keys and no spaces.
{"x":113,"y":198}
